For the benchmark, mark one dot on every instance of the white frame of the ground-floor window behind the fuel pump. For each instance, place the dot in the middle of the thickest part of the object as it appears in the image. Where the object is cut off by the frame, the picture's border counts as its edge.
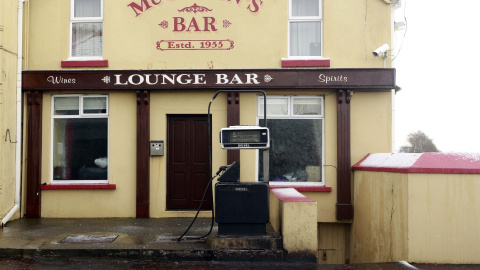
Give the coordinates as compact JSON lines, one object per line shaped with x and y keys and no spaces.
{"x":291,"y":116}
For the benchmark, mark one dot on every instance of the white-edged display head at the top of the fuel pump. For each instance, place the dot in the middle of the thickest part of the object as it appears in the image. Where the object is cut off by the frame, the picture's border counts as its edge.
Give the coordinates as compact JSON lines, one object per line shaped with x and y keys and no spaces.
{"x":245,"y":137}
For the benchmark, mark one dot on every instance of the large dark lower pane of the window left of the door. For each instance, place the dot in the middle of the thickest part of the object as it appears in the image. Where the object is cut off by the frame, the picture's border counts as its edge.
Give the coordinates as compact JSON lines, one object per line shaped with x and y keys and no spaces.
{"x":80,"y":149}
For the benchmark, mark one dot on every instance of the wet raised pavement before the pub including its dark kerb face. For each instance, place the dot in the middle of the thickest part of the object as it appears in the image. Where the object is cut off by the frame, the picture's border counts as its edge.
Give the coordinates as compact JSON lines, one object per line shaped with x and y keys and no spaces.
{"x":129,"y":238}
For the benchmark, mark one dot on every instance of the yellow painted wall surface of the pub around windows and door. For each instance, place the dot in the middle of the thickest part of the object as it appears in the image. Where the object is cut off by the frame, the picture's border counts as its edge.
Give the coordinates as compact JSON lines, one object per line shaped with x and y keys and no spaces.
{"x":260,"y":42}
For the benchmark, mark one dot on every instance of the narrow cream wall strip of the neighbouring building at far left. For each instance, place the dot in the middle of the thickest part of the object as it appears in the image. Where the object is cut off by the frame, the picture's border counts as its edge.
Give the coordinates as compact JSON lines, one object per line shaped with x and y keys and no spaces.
{"x":10,"y":109}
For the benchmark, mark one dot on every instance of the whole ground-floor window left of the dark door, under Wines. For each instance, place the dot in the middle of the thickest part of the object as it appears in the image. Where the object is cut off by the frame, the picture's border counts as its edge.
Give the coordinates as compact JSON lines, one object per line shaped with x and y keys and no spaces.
{"x":80,"y":139}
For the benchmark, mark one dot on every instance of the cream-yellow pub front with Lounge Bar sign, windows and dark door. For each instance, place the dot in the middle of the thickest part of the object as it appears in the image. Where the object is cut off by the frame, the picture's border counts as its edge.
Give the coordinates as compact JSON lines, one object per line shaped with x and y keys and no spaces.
{"x":105,"y":81}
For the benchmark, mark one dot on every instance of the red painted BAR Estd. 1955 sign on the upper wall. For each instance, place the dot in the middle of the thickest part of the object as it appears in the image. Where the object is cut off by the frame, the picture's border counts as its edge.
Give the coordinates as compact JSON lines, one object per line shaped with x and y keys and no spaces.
{"x":182,"y":19}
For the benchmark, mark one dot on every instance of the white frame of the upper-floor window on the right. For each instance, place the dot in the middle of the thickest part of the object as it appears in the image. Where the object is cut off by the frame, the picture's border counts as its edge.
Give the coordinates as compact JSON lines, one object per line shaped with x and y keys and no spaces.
{"x":319,"y":18}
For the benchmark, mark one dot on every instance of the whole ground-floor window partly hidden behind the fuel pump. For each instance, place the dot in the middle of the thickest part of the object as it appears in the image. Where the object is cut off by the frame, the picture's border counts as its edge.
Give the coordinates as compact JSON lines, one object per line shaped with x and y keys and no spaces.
{"x":296,"y":132}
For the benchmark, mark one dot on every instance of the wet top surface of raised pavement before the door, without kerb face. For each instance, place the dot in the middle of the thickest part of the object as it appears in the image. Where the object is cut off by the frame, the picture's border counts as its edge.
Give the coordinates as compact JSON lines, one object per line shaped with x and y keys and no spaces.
{"x":103,"y":233}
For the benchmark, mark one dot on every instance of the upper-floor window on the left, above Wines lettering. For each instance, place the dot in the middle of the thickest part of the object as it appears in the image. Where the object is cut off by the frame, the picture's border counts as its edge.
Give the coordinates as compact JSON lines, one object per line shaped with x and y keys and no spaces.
{"x":86,"y":29}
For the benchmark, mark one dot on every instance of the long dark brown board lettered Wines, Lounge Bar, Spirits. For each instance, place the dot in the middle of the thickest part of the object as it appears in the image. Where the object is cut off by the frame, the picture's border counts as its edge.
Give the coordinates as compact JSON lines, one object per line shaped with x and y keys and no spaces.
{"x":359,"y":79}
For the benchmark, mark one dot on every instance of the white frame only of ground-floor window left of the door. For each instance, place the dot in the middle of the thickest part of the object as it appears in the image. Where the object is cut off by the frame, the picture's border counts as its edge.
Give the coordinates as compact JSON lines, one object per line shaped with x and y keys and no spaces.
{"x":80,"y":115}
